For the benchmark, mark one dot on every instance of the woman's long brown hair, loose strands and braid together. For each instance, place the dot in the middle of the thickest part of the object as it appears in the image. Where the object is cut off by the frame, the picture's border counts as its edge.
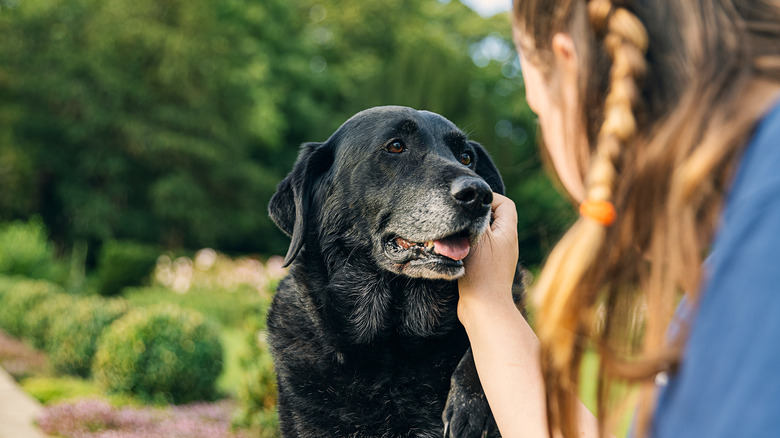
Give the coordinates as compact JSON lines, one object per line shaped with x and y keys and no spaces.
{"x":671,"y":92}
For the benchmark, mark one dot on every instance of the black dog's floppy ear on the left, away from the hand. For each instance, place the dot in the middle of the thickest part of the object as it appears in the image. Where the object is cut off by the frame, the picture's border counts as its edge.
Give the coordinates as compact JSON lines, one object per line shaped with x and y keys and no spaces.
{"x":289,"y":206}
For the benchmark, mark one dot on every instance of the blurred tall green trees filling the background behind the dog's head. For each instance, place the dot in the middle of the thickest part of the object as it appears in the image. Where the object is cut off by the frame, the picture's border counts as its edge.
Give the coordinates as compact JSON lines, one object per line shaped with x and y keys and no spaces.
{"x":169,"y":123}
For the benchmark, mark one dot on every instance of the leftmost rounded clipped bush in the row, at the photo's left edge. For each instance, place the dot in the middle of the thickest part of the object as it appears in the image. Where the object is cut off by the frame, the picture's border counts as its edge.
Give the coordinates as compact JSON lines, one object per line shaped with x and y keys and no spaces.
{"x":19,"y":299}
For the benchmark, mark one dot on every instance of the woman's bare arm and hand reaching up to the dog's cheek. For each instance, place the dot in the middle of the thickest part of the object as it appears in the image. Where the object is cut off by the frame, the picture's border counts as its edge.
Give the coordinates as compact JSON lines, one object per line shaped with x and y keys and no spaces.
{"x":506,"y":351}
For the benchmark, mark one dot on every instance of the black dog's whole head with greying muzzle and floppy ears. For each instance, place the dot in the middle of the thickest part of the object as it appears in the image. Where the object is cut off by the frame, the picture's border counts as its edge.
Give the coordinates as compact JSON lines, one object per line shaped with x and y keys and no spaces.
{"x":406,"y":185}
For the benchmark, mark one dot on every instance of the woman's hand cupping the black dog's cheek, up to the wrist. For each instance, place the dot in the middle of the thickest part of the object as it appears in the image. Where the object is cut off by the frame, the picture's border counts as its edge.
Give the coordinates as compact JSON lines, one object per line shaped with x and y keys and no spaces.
{"x":490,"y":267}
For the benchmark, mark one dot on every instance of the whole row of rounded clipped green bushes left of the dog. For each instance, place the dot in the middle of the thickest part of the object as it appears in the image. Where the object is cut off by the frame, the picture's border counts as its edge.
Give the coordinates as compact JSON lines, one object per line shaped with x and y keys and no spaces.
{"x":159,"y":353}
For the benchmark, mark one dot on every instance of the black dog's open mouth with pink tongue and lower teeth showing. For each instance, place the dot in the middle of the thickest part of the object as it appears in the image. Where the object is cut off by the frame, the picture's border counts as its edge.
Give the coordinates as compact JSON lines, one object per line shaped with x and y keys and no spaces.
{"x":449,"y":250}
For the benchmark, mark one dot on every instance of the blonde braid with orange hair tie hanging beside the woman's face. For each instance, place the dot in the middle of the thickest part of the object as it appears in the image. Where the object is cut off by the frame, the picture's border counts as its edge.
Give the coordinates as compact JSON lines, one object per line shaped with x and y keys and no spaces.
{"x":560,"y":307}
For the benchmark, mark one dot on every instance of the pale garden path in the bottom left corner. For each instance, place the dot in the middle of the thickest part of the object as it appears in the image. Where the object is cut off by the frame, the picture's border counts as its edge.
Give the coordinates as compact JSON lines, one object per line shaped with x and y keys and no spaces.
{"x":17,"y":410}
